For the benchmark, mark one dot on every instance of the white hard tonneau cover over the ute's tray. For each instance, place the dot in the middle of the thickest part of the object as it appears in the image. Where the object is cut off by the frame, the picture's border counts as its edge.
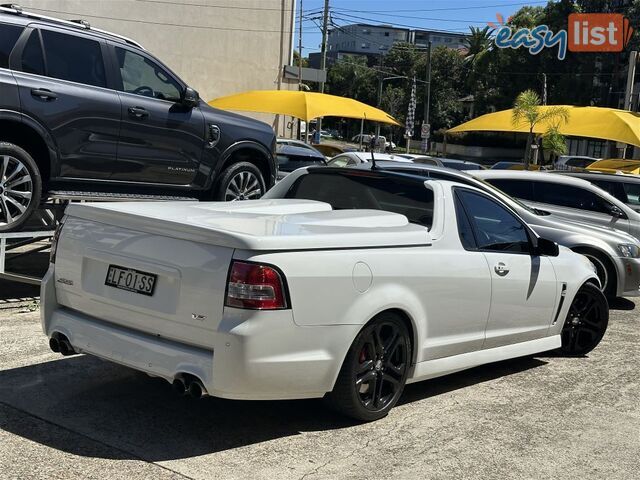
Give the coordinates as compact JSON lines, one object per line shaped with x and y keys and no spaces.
{"x":272,"y":225}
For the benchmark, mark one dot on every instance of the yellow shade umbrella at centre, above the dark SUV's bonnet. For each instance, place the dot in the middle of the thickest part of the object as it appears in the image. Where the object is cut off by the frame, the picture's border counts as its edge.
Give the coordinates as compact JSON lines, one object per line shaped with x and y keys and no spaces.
{"x":303,"y":105}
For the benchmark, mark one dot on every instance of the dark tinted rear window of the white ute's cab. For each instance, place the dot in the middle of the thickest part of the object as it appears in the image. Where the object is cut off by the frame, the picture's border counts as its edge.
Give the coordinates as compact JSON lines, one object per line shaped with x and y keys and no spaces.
{"x":367,"y":191}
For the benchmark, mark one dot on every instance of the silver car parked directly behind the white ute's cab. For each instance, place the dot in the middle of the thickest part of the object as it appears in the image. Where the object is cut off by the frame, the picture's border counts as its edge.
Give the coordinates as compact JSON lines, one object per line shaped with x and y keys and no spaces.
{"x":613,"y":253}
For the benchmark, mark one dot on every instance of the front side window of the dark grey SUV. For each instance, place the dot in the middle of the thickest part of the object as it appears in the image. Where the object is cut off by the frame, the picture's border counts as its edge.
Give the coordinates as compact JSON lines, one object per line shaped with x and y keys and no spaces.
{"x":141,"y":76}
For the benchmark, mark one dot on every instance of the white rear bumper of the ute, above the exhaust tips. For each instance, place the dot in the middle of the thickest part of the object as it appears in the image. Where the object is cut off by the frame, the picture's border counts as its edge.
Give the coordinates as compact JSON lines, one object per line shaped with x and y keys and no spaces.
{"x":254,"y":355}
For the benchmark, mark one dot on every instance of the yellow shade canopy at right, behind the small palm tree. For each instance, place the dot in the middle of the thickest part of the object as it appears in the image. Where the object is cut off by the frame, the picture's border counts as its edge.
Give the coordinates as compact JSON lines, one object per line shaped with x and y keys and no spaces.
{"x":592,"y":122}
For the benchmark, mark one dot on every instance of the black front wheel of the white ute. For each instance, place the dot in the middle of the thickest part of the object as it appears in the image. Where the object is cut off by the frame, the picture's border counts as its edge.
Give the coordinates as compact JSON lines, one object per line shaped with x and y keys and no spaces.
{"x":586,"y":321}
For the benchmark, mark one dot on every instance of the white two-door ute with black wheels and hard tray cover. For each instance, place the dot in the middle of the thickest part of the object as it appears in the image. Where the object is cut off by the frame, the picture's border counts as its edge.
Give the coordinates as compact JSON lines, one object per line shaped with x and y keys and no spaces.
{"x":342,"y":284}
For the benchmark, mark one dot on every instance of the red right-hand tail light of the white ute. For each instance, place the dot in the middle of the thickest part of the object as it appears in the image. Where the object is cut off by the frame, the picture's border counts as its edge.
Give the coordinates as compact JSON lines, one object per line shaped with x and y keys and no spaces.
{"x":255,"y":287}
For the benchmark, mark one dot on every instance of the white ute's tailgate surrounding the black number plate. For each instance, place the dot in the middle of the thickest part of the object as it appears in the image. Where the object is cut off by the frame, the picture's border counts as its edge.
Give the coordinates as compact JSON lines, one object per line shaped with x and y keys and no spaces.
{"x":187,"y":299}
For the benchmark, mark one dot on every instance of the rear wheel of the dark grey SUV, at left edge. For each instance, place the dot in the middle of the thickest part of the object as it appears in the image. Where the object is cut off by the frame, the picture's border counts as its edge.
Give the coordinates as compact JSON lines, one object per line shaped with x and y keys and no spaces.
{"x":20,"y":187}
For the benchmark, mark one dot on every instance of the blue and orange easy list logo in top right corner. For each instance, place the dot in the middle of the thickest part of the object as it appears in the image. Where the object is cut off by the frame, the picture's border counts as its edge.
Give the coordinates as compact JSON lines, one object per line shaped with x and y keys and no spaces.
{"x":587,"y":32}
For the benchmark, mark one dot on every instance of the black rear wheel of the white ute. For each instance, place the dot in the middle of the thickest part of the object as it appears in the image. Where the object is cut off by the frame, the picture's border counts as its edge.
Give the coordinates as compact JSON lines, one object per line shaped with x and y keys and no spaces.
{"x":374,"y":371}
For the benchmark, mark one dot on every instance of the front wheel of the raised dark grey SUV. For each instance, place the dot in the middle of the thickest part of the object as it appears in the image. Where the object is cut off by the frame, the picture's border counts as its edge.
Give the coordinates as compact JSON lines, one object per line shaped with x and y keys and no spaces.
{"x":240,"y":181}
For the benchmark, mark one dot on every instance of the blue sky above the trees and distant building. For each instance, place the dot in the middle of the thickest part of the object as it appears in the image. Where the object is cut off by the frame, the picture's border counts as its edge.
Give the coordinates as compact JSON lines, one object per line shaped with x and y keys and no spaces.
{"x":448,"y":15}
